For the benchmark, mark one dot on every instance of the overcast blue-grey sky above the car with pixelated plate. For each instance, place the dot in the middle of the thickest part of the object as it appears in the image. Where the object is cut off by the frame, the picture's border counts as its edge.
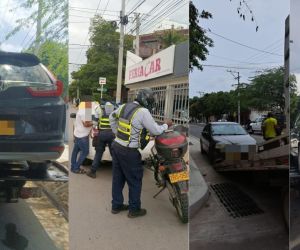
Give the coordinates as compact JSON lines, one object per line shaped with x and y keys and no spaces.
{"x":268,"y":15}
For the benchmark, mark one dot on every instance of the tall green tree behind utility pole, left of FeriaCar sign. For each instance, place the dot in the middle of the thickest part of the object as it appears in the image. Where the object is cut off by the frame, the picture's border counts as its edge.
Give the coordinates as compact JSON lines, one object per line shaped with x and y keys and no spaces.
{"x":102,"y":60}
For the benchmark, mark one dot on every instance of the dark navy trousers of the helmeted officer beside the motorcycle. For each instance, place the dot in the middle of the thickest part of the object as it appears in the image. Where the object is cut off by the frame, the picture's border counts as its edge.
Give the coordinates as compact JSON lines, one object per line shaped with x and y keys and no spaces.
{"x":127,"y":167}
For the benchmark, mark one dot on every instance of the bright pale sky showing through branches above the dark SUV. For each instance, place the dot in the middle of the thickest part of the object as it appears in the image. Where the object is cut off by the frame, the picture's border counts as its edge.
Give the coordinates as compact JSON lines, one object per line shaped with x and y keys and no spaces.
{"x":54,"y":20}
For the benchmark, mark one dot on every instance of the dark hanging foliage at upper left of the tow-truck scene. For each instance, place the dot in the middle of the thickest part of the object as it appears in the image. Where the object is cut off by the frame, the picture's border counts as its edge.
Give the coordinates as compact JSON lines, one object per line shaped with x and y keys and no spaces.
{"x":199,"y":42}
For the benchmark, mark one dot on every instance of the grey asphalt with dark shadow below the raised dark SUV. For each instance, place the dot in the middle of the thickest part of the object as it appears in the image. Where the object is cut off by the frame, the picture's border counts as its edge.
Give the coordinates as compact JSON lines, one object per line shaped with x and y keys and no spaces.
{"x":20,"y":229}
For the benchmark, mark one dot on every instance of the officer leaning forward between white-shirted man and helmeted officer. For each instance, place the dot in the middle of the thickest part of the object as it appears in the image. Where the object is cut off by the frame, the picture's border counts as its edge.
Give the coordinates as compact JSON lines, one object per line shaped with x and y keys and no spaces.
{"x":105,"y":136}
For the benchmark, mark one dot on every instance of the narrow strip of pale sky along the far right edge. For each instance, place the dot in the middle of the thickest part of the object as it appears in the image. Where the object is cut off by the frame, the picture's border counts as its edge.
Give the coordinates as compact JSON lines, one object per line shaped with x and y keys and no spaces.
{"x":295,"y":40}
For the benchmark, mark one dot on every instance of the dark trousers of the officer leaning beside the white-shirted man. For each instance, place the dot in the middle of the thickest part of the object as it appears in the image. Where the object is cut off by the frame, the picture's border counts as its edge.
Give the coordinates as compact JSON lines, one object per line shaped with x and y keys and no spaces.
{"x":105,"y":138}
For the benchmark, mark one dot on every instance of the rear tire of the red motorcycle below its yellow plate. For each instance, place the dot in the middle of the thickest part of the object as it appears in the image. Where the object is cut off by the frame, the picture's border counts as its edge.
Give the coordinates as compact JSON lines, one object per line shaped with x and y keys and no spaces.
{"x":181,"y":203}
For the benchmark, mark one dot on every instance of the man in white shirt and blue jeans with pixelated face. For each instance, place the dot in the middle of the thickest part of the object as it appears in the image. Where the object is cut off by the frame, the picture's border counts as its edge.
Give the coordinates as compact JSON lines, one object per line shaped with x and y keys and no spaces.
{"x":81,"y":141}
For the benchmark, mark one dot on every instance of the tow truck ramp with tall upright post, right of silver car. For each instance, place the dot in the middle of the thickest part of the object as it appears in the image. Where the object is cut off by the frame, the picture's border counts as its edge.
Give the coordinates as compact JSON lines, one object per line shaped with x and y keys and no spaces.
{"x":272,"y":156}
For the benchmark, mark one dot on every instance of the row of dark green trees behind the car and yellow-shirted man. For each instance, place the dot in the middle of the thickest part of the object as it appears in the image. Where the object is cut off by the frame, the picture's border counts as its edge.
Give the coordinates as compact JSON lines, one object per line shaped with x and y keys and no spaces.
{"x":265,"y":92}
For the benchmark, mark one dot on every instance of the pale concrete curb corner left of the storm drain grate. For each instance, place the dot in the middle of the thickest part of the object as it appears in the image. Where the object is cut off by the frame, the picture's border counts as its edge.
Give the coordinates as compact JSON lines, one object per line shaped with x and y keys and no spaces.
{"x":201,"y":197}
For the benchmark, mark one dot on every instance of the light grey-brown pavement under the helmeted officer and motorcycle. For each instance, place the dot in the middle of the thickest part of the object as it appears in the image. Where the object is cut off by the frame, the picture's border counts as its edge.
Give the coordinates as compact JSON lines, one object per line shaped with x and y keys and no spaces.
{"x":92,"y":226}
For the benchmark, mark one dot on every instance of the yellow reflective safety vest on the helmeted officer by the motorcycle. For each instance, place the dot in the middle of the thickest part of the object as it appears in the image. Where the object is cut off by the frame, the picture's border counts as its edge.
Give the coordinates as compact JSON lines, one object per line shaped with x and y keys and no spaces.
{"x":126,"y":116}
